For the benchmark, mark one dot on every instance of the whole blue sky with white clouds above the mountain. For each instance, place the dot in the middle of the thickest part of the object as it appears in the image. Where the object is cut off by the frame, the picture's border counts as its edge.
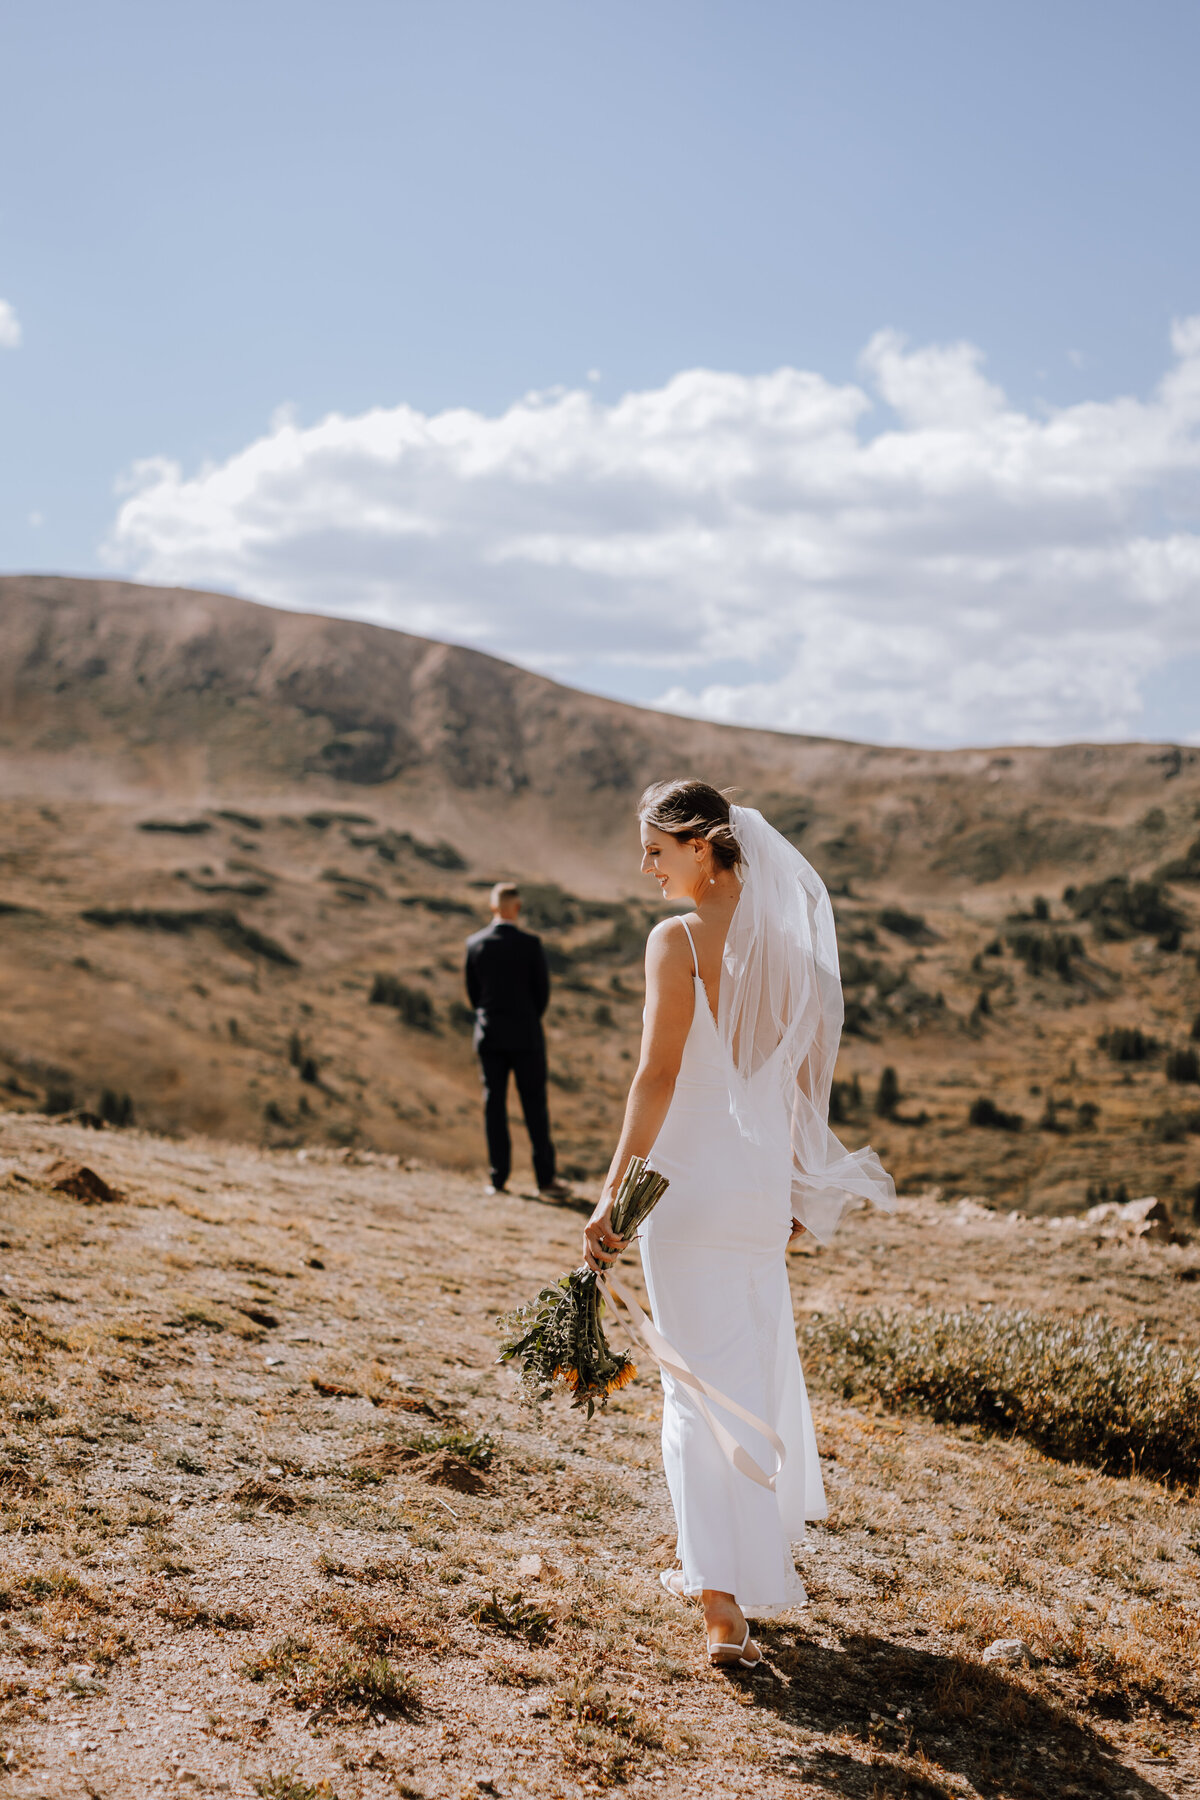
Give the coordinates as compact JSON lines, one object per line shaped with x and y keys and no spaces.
{"x":803,"y":366}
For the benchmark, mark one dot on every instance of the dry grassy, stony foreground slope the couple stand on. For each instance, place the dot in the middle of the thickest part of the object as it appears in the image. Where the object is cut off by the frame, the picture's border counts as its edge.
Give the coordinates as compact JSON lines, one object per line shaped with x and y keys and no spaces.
{"x":276,"y":1525}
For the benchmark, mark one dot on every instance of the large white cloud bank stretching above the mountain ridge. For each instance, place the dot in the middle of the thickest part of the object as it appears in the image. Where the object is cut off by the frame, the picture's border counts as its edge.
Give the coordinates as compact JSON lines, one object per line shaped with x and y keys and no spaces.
{"x":906,"y":561}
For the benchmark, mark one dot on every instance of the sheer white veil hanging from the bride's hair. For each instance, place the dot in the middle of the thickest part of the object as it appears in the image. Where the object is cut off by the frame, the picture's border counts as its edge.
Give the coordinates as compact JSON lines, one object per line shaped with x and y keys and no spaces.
{"x":782,"y":1020}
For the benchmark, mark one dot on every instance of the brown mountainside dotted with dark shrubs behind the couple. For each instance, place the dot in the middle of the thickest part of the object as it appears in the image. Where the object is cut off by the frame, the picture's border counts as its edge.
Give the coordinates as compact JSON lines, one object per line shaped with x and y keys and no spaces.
{"x":242,"y":849}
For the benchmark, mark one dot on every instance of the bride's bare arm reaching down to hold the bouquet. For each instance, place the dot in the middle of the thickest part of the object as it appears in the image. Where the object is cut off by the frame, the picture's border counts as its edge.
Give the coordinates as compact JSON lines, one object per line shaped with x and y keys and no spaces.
{"x":670,"y":1005}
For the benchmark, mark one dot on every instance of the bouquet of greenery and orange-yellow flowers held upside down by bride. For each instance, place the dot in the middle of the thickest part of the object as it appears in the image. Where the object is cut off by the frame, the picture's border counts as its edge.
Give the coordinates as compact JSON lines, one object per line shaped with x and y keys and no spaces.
{"x":559,"y":1336}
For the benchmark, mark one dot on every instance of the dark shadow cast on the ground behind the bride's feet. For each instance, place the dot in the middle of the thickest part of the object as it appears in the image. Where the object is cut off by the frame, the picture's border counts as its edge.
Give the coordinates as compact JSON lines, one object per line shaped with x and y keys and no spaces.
{"x":960,"y":1720}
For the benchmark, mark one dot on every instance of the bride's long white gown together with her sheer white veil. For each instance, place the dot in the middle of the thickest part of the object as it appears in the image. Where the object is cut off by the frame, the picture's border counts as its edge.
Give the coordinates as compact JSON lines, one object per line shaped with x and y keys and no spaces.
{"x":746,"y":1147}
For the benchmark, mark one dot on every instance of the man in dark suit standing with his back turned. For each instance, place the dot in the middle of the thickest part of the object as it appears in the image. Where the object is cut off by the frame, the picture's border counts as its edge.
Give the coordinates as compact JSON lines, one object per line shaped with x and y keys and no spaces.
{"x":510,"y":985}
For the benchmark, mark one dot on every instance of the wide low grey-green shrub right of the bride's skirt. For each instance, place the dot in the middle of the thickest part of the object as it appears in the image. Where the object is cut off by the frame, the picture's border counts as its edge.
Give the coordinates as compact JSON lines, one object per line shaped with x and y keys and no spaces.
{"x":1082,"y":1390}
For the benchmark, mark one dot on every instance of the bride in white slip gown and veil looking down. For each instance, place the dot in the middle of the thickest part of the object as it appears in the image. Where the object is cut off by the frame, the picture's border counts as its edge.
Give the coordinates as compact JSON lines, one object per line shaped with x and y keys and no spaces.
{"x":731,"y":1099}
